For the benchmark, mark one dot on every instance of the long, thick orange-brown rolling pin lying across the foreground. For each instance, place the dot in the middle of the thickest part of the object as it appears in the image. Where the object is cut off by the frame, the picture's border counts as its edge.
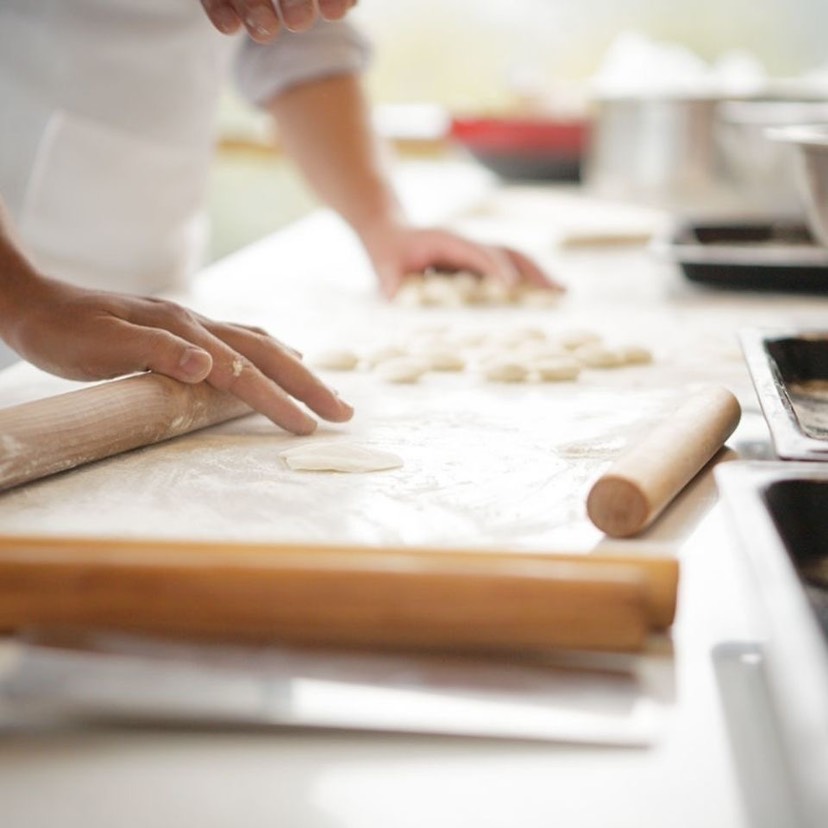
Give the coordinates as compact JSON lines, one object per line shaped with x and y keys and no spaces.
{"x":332,"y":596}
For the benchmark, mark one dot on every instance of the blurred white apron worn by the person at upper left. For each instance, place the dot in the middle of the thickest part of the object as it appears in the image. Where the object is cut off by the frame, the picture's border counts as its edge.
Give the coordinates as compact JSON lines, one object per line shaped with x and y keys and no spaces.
{"x":106,"y":132}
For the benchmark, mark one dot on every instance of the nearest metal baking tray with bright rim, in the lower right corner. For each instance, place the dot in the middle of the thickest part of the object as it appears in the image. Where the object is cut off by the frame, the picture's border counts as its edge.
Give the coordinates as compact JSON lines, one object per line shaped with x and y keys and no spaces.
{"x":780,"y":514}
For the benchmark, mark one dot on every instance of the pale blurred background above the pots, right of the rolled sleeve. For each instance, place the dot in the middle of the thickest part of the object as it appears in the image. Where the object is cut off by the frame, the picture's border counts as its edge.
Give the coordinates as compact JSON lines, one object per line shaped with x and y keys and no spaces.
{"x":467,"y":53}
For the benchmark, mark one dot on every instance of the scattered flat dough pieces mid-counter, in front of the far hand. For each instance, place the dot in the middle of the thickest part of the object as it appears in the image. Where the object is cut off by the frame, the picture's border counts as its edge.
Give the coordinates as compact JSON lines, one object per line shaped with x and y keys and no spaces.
{"x":517,"y":355}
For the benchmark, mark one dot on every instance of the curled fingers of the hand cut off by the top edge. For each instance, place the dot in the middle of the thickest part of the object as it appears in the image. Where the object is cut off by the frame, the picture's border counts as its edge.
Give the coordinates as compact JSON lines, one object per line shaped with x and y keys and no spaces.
{"x":263,"y":19}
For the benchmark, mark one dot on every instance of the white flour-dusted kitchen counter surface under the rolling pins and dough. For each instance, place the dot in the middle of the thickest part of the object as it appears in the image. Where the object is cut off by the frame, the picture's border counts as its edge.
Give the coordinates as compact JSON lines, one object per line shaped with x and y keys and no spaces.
{"x":486,"y":466}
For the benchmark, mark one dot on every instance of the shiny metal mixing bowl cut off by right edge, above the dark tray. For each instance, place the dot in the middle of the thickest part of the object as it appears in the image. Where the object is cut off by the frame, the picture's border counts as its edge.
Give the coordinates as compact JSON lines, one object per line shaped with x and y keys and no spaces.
{"x":810,"y":145}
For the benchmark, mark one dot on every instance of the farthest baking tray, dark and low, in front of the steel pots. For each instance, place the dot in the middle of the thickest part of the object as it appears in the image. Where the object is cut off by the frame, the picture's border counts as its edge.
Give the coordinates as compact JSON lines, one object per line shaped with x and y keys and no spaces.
{"x":777,"y":256}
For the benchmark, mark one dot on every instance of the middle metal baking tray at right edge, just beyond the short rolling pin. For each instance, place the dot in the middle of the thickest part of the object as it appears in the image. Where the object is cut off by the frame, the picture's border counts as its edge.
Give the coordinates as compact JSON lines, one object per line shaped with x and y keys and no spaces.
{"x":789,"y":369}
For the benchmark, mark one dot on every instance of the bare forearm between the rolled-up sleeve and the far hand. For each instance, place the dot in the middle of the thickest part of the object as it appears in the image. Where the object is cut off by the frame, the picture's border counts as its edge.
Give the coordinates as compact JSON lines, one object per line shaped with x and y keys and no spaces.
{"x":326,"y":128}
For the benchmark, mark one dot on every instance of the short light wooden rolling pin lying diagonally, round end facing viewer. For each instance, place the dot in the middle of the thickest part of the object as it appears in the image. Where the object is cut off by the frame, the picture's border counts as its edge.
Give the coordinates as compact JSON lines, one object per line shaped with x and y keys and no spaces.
{"x":638,"y":486}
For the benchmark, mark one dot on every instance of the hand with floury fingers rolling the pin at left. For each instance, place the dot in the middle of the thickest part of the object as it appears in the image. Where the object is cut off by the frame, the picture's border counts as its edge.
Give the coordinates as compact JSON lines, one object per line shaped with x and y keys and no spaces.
{"x":92,"y":335}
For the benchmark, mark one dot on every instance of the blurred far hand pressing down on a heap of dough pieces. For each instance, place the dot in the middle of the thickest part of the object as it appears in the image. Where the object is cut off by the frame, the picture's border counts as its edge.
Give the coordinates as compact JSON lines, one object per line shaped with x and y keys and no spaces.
{"x":398,"y":252}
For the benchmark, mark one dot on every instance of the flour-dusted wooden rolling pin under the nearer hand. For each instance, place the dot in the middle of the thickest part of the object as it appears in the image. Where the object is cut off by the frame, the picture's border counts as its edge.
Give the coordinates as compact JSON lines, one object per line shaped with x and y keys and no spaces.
{"x":58,"y":433}
